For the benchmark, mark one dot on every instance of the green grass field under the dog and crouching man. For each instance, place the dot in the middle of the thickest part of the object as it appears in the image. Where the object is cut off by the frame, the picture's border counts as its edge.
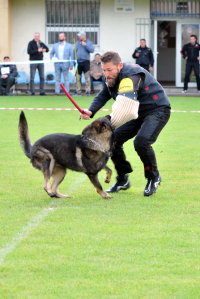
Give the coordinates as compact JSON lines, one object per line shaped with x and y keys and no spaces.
{"x":89,"y":247}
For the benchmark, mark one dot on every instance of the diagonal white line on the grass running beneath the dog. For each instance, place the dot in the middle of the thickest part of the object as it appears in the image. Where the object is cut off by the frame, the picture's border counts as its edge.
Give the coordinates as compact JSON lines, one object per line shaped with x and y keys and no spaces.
{"x":36,"y":220}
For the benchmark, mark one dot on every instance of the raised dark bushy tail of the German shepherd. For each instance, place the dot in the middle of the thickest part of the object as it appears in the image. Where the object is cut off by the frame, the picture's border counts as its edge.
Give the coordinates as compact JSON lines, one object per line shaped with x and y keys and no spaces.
{"x":24,"y":138}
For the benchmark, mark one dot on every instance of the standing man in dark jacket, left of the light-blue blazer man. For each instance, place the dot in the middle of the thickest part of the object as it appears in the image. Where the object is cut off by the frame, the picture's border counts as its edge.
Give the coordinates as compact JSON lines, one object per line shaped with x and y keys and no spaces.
{"x":36,"y":48}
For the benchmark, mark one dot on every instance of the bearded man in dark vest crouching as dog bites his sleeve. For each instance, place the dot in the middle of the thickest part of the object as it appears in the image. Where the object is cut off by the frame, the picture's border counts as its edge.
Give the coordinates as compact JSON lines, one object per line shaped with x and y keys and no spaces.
{"x":134,"y":83}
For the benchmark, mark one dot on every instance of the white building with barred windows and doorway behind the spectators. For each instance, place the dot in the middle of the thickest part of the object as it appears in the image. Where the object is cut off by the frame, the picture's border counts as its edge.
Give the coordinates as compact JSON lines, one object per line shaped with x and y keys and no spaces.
{"x":110,"y":24}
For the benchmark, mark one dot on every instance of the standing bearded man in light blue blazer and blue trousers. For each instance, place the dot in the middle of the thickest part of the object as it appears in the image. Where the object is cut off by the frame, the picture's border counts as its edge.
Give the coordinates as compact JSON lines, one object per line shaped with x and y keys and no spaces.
{"x":62,"y":51}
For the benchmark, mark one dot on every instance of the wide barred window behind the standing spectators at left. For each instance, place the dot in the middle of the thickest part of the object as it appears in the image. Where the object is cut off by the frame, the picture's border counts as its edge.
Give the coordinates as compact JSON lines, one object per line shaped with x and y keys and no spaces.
{"x":71,"y":17}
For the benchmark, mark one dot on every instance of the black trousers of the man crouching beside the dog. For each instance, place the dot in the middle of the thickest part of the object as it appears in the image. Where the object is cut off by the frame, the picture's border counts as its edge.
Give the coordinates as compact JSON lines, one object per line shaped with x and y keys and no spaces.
{"x":146,"y":129}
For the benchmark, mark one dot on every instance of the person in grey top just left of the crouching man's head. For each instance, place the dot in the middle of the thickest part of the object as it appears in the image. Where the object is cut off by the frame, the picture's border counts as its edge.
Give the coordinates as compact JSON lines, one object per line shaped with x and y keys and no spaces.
{"x":96,"y":71}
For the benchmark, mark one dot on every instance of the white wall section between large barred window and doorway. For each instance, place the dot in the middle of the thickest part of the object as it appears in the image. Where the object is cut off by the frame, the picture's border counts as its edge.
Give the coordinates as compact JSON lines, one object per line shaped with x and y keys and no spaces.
{"x":118,"y":30}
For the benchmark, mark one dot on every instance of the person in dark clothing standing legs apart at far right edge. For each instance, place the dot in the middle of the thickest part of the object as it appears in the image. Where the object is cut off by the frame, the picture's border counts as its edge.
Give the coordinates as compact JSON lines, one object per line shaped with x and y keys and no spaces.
{"x":190,"y":52}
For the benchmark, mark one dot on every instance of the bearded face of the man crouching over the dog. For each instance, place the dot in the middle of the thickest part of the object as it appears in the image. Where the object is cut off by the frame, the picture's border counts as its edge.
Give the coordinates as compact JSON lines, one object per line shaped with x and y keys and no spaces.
{"x":111,"y":72}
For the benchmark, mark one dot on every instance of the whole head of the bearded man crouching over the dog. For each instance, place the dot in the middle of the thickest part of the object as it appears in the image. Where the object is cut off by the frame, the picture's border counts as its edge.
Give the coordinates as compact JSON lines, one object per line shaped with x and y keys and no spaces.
{"x":112,"y":65}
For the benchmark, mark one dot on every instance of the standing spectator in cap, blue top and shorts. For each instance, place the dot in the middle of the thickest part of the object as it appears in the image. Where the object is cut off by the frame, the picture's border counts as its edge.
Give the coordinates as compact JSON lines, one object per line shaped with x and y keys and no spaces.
{"x":83,"y":49}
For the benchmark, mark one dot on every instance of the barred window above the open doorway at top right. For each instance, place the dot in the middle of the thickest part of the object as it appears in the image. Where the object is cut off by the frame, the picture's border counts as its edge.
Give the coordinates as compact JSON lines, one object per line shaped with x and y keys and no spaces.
{"x":184,"y":9}
